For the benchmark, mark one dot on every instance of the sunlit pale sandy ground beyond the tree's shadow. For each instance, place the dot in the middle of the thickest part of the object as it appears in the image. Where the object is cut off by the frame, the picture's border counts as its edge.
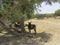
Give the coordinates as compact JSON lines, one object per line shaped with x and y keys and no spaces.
{"x":51,"y":26}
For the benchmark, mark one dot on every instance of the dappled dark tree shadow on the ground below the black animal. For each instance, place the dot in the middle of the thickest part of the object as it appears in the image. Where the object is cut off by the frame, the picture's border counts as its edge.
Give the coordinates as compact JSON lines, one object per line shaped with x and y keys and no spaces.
{"x":25,"y":39}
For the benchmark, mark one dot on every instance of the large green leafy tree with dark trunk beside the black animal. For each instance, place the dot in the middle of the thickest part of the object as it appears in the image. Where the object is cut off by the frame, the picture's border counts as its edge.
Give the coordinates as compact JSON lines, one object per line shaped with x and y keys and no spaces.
{"x":18,"y":9}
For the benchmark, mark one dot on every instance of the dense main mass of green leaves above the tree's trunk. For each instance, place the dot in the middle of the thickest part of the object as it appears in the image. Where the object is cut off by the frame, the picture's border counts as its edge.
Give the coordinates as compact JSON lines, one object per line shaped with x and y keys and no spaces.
{"x":14,"y":11}
